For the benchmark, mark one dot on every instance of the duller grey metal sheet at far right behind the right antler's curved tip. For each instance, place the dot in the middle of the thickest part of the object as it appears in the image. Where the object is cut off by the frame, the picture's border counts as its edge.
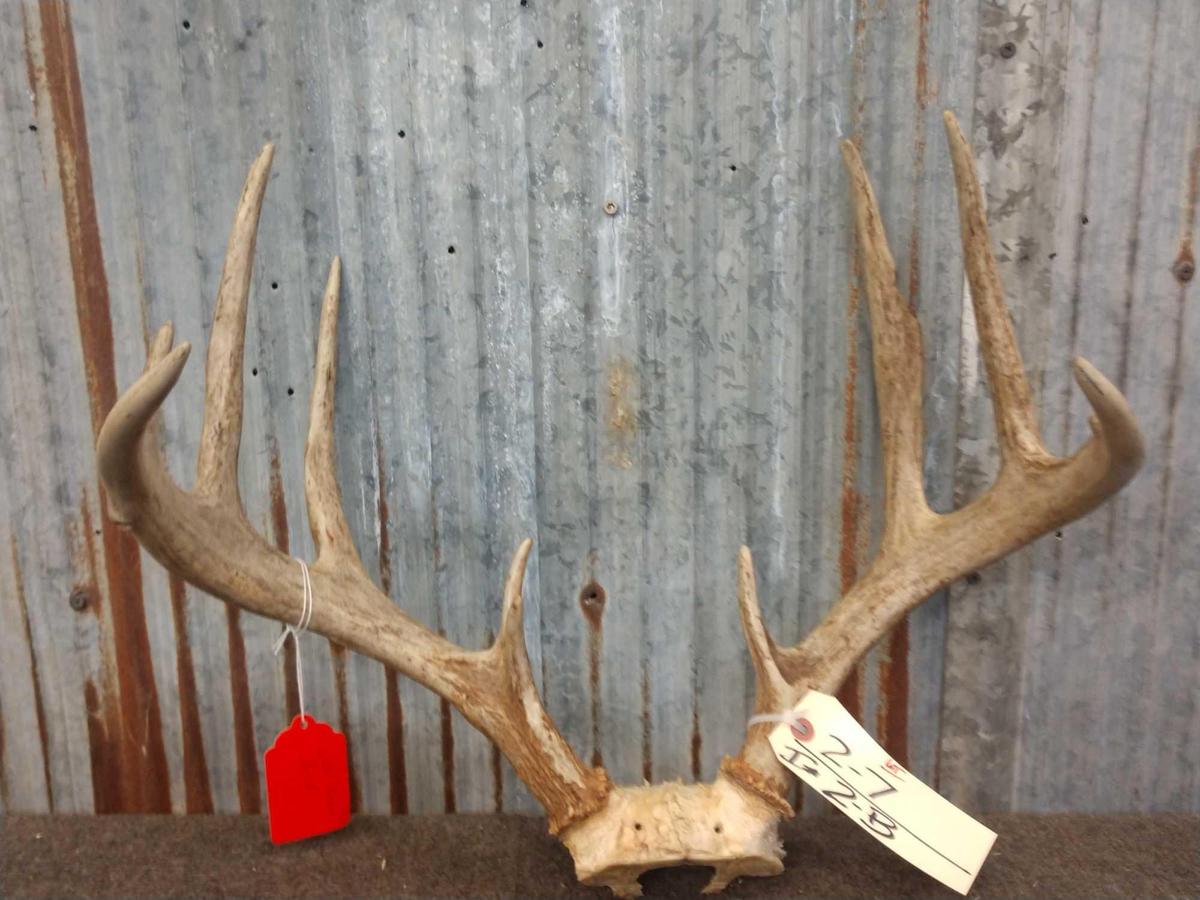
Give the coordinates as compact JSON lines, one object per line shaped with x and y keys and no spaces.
{"x":1059,"y":677}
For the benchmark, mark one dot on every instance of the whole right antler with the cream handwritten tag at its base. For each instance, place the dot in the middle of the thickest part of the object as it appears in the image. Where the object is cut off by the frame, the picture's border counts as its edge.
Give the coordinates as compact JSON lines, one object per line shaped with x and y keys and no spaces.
{"x":922,"y":551}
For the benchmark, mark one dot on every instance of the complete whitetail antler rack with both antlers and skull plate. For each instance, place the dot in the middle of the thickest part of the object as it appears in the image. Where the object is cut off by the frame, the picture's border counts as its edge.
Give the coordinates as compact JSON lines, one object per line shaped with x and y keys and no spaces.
{"x":616,"y":833}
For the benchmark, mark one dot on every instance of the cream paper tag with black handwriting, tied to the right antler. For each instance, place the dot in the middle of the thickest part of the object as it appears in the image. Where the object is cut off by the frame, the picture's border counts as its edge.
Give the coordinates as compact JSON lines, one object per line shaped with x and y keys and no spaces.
{"x":831,"y":753}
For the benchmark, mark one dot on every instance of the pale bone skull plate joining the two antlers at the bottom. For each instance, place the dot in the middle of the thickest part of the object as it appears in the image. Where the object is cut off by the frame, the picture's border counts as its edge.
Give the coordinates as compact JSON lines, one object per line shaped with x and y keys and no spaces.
{"x":719,"y":825}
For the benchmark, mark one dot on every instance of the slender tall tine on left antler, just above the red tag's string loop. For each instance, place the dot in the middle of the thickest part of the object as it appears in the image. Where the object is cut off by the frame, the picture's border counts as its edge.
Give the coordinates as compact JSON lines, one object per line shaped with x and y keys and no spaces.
{"x":331,"y":532}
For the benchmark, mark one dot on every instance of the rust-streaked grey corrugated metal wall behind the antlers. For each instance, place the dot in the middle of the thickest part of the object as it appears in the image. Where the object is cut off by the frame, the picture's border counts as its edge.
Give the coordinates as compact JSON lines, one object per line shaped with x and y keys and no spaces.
{"x":640,"y":393}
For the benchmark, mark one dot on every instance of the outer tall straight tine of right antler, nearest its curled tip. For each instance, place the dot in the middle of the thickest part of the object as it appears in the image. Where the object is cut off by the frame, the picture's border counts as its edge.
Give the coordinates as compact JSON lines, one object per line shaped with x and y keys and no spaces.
{"x":1017,"y":427}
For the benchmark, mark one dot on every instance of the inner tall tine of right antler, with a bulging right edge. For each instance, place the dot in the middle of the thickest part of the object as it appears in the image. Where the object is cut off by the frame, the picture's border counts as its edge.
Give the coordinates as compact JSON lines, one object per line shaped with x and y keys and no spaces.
{"x":898,"y":357}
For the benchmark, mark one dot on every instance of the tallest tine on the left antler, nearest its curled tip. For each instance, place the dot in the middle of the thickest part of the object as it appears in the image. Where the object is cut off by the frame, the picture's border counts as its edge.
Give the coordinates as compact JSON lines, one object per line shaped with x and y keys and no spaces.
{"x":217,"y":470}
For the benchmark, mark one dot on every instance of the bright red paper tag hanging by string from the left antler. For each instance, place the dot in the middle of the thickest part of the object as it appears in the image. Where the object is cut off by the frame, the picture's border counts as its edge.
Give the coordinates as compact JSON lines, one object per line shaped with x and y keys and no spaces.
{"x":308,"y":782}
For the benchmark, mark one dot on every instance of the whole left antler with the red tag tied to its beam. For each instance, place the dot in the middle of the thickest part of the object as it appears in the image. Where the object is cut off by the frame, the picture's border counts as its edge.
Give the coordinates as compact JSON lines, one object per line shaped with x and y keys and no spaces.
{"x":205,"y":537}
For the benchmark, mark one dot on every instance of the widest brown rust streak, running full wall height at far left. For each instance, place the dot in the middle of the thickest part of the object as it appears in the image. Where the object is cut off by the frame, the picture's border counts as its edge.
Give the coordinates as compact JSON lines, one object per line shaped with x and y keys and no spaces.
{"x":145,"y":785}
